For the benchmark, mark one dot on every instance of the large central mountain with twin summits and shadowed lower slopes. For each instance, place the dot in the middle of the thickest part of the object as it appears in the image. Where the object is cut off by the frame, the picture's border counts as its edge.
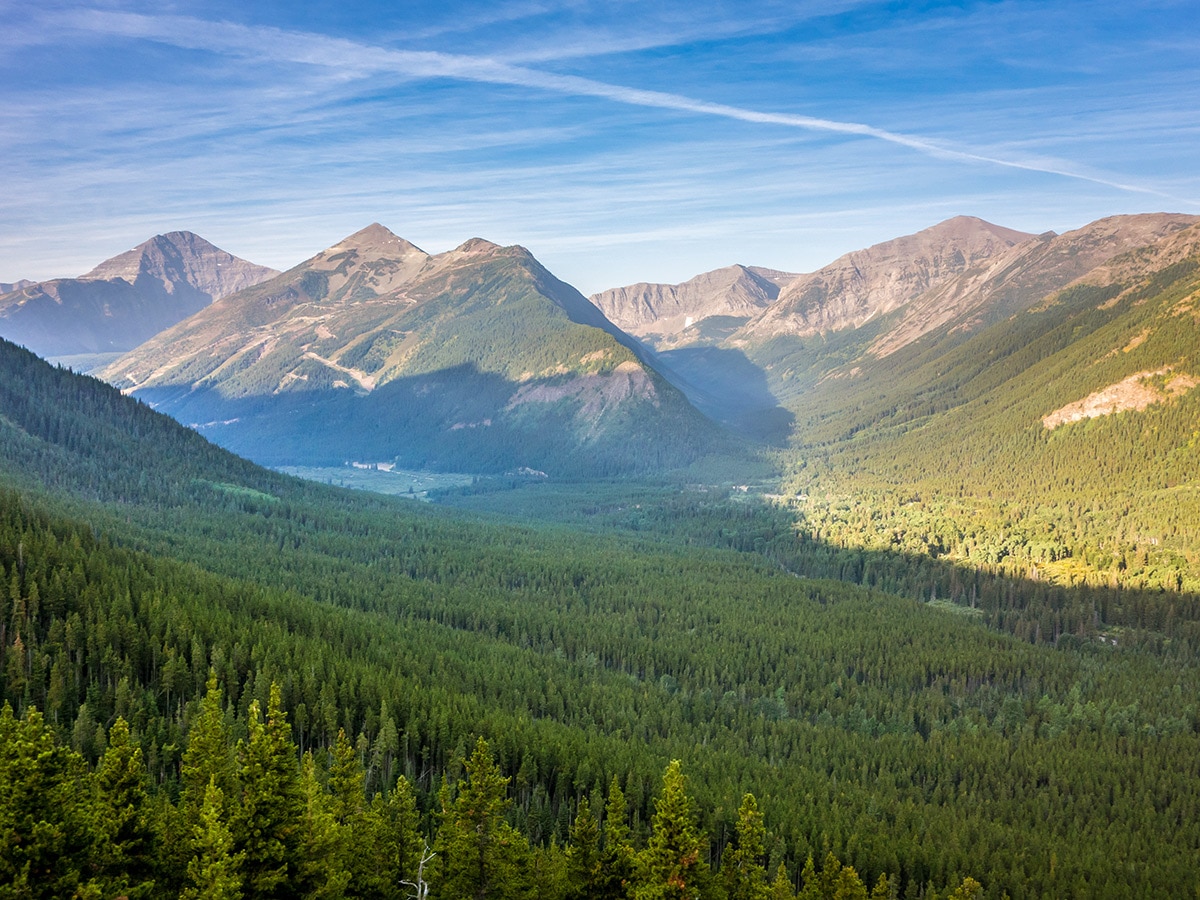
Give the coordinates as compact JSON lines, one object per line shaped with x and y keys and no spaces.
{"x":477,"y":359}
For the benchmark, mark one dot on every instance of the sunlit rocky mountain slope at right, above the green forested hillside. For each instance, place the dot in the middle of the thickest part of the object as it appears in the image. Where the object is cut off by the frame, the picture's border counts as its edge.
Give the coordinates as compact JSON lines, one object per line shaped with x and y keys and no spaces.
{"x":803,"y":358}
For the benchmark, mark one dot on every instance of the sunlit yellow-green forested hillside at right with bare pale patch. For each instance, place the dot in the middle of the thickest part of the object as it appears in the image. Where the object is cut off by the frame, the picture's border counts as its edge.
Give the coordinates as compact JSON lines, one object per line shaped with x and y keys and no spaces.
{"x":1059,"y":445}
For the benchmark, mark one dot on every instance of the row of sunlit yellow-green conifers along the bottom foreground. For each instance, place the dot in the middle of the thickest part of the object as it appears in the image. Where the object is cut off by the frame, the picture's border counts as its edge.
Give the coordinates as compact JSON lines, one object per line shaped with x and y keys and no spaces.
{"x":256,"y":819}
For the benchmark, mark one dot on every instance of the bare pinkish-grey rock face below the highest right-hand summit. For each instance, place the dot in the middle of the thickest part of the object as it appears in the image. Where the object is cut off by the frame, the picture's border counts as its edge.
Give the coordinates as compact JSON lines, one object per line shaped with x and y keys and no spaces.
{"x":860,"y":286}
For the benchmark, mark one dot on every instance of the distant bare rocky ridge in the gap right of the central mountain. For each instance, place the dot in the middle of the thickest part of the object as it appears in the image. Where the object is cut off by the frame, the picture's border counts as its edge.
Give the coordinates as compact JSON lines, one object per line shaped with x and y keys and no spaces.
{"x":659,"y":311}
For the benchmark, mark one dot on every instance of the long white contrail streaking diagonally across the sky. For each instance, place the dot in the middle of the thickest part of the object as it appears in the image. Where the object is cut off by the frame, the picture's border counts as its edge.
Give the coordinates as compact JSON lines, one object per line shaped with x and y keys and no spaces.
{"x":357,"y":59}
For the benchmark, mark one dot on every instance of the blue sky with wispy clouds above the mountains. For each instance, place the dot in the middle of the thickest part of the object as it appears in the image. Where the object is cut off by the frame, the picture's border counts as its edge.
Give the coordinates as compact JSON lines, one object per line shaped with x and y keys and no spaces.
{"x":619,"y":141}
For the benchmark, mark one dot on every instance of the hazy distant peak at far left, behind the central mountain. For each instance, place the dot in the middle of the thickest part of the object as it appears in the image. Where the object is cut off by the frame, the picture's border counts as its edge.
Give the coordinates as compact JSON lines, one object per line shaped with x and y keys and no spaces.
{"x":127,"y":299}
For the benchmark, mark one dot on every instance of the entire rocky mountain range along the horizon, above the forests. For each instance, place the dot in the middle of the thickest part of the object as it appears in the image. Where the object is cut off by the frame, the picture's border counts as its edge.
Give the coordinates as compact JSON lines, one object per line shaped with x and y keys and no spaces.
{"x":481,"y":361}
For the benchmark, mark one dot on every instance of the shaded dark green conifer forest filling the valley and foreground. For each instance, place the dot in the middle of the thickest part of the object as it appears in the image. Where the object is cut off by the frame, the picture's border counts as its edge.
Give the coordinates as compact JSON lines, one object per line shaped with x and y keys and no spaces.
{"x":909,"y":743}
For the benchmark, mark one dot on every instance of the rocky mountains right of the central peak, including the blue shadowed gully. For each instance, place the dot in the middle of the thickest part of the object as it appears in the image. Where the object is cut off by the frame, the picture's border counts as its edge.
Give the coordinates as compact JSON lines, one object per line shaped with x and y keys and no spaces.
{"x":935,"y":287}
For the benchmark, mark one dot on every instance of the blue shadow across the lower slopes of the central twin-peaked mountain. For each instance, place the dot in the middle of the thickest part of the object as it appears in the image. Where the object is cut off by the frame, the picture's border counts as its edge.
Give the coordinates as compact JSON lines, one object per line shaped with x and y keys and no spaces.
{"x":457,"y":419}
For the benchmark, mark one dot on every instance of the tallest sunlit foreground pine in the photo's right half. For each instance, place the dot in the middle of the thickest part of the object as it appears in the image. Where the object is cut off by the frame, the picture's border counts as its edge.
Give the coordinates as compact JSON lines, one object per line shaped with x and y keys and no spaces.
{"x":673,"y":866}
